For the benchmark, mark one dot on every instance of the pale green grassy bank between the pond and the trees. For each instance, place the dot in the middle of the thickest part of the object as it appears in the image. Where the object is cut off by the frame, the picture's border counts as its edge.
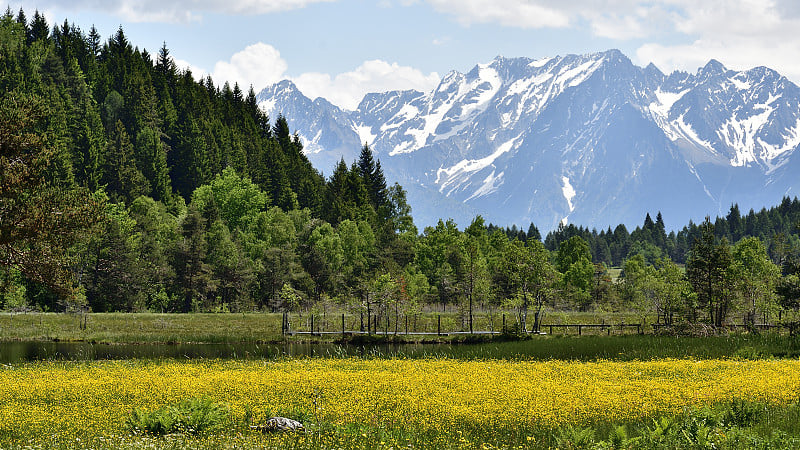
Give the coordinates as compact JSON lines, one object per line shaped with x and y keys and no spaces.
{"x":251,"y":327}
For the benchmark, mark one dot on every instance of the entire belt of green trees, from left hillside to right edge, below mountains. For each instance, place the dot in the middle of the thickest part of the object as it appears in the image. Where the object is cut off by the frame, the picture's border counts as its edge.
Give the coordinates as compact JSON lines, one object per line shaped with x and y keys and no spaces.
{"x":129,"y":185}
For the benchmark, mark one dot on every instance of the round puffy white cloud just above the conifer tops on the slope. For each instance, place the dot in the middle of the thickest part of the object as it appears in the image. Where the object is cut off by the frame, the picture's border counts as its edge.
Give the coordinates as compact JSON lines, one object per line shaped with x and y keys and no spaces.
{"x":258,"y":65}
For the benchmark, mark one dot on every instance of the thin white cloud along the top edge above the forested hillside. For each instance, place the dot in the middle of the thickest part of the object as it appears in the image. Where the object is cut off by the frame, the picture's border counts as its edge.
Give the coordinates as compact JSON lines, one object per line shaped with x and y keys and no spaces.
{"x":176,"y":11}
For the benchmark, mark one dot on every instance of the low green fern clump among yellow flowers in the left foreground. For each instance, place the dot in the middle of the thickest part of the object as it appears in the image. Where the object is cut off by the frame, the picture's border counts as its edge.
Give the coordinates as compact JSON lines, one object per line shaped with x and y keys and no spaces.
{"x":193,"y":416}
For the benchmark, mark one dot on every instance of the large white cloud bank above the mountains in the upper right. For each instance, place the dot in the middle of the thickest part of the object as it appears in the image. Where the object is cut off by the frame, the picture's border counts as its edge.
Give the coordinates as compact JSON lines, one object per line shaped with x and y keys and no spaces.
{"x":674,"y":34}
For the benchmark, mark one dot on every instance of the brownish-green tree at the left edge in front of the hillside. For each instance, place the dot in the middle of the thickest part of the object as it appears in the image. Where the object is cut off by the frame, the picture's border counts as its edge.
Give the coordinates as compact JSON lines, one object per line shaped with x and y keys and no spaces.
{"x":40,"y":220}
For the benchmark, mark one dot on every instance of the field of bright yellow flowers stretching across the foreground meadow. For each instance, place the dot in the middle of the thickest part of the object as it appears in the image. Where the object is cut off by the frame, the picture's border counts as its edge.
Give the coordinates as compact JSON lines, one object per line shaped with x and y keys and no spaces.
{"x":96,"y":397}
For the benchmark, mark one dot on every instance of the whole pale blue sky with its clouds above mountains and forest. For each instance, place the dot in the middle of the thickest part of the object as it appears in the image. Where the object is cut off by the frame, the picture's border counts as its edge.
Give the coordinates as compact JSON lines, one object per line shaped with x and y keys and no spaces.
{"x":342,"y":49}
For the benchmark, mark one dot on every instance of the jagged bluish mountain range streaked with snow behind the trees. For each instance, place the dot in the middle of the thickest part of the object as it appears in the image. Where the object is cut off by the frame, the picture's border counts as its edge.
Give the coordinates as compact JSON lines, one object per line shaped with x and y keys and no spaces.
{"x":587,"y":139}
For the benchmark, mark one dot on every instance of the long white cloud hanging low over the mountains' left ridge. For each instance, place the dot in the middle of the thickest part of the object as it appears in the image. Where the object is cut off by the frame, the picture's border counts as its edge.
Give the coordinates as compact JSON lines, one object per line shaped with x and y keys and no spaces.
{"x":347,"y":89}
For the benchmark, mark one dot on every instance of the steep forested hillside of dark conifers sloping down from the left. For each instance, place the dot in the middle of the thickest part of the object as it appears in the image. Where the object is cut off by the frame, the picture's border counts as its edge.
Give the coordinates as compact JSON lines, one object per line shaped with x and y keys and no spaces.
{"x":128,"y":130}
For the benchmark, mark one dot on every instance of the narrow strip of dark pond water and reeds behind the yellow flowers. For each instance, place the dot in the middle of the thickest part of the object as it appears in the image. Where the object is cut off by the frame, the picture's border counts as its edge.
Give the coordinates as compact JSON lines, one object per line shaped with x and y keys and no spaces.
{"x":579,"y":348}
